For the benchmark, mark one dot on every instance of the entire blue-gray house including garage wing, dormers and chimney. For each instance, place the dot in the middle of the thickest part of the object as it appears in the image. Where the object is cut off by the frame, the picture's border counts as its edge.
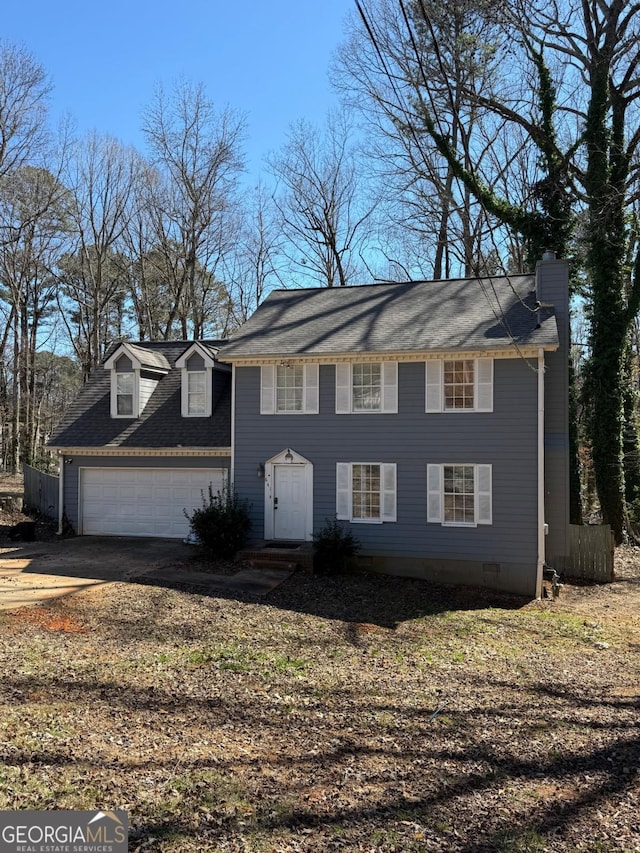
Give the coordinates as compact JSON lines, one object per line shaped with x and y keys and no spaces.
{"x":431,"y":417}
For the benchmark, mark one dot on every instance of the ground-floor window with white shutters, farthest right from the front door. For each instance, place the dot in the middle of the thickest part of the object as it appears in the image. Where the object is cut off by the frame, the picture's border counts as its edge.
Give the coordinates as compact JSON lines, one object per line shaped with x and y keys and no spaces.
{"x":459,"y":495}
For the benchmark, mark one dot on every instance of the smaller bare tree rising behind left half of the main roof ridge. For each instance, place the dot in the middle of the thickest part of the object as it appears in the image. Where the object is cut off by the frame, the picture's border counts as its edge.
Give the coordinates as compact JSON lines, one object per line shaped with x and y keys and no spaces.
{"x":323,"y":211}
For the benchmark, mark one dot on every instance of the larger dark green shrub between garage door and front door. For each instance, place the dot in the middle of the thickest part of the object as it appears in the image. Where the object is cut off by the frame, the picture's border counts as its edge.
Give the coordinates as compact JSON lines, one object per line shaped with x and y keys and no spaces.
{"x":222,"y":524}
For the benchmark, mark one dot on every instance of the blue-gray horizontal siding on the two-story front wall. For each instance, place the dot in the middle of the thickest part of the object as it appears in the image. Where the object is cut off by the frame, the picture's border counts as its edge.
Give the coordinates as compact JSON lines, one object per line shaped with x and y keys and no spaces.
{"x":505,"y":439}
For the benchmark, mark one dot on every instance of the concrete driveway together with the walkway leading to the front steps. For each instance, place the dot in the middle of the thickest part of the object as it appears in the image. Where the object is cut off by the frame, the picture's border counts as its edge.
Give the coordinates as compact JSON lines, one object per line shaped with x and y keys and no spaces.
{"x":35,"y":572}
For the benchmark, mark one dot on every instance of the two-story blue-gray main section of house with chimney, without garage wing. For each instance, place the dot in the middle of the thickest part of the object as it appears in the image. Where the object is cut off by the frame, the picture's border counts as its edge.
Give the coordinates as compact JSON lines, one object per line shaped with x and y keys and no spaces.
{"x":429,"y":416}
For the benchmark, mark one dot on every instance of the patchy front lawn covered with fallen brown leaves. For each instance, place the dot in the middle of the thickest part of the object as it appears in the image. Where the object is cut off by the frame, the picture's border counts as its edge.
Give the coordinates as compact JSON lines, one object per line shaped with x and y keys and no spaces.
{"x":356,"y":714}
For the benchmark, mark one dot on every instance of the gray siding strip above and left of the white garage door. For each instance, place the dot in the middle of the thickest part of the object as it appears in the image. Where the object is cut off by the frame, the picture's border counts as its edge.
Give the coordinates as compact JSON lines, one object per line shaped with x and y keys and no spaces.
{"x":71,"y":497}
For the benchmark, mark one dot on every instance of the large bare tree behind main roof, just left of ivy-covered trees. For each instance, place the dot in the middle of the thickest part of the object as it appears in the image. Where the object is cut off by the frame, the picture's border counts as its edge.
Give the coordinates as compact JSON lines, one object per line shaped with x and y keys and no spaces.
{"x":428,"y":207}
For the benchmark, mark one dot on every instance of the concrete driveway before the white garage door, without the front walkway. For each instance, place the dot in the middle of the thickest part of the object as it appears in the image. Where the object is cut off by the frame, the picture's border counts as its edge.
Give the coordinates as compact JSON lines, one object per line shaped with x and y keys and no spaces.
{"x":36,"y":571}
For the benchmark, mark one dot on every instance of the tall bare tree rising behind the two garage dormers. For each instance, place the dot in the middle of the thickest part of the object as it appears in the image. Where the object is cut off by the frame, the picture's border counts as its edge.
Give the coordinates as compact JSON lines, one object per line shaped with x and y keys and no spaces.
{"x":196,"y":152}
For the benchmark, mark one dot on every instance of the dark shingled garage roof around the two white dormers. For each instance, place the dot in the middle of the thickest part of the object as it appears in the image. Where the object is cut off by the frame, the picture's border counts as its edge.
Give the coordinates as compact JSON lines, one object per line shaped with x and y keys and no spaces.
{"x":88,"y":421}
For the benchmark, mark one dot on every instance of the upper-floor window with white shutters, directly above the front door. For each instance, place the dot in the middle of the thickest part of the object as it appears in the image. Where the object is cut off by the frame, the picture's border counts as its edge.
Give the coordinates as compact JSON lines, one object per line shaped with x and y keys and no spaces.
{"x":289,"y":389}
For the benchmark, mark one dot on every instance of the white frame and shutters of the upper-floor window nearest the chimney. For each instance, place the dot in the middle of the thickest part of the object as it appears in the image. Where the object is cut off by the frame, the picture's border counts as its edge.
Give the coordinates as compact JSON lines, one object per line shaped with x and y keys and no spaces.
{"x":482,"y":385}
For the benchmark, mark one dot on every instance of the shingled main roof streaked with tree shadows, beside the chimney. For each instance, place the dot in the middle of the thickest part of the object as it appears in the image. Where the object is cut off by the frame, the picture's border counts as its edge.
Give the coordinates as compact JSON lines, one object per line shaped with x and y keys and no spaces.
{"x":415,"y":316}
